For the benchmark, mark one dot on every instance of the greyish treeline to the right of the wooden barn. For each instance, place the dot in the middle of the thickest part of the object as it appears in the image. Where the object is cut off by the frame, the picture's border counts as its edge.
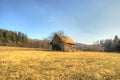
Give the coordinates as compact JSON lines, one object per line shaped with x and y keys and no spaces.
{"x":107,"y":45}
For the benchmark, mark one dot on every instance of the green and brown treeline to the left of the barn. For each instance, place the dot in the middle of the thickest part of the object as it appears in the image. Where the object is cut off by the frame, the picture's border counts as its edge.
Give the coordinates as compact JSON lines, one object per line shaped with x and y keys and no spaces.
{"x":11,"y":38}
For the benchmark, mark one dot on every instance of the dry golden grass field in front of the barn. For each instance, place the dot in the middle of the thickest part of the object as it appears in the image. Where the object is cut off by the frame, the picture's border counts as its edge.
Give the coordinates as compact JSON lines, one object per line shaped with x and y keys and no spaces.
{"x":34,"y":64}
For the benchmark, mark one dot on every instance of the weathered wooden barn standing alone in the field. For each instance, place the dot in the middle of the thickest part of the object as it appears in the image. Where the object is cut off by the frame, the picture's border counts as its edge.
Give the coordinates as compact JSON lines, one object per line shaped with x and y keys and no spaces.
{"x":62,"y":43}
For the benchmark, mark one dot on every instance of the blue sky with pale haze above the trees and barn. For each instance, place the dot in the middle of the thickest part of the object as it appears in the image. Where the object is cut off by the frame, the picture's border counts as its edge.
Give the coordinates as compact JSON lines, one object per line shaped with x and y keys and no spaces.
{"x":85,"y":21}
